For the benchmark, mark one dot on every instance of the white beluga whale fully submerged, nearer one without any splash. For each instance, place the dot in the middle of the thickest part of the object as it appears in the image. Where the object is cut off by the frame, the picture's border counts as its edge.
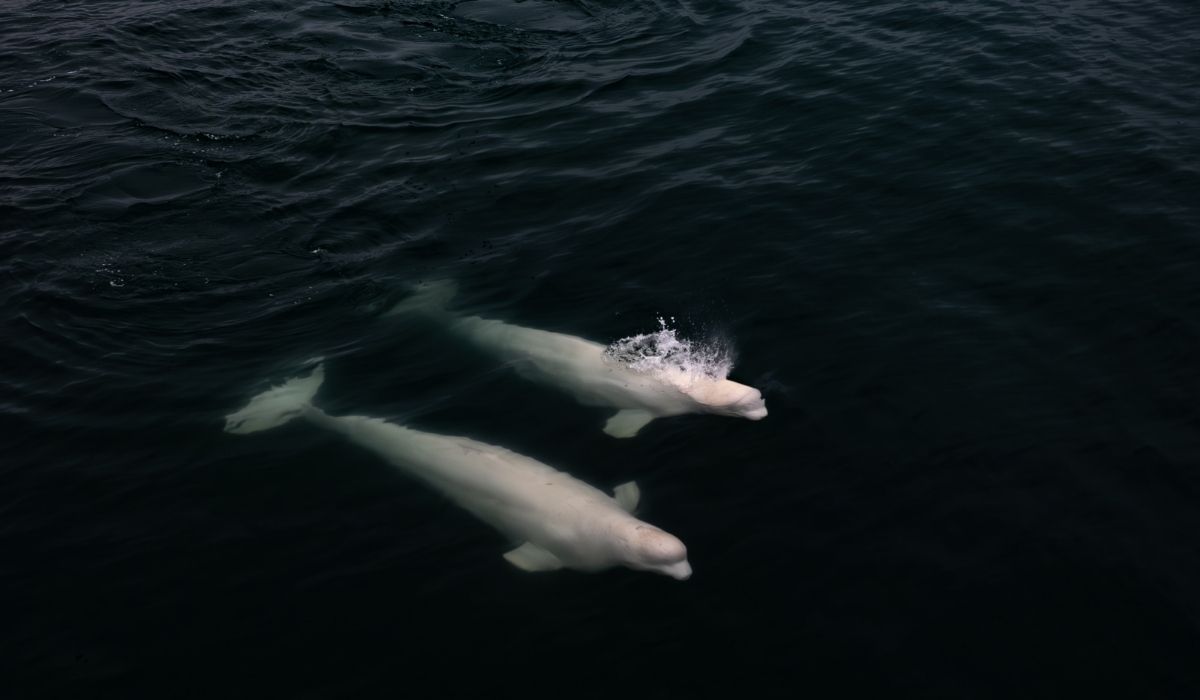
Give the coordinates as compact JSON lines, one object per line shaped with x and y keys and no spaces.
{"x":560,"y":522}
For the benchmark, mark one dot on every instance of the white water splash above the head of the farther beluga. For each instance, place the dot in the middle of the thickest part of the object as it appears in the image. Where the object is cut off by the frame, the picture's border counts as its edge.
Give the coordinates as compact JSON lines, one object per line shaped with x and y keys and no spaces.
{"x":664,"y":350}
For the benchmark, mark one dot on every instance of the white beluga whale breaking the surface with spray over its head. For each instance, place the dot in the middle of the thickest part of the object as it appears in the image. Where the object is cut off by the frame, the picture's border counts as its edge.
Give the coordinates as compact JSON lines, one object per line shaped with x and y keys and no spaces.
{"x":596,"y":376}
